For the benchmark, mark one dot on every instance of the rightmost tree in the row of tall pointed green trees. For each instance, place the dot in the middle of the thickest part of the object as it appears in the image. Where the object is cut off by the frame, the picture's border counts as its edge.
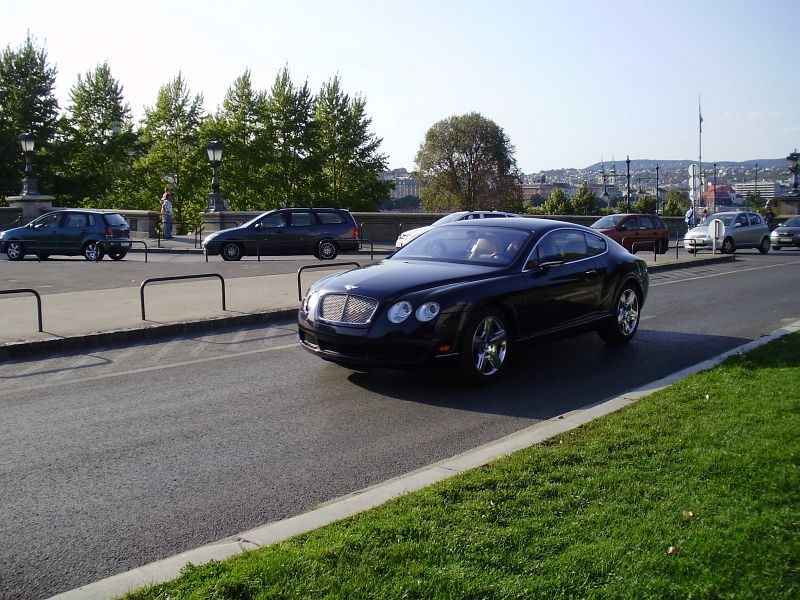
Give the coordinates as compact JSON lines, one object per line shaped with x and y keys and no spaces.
{"x":348,"y":153}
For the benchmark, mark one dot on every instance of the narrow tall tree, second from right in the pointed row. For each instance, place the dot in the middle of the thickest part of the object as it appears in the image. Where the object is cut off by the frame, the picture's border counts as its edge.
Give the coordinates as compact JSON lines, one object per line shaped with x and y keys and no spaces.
{"x":290,"y":112}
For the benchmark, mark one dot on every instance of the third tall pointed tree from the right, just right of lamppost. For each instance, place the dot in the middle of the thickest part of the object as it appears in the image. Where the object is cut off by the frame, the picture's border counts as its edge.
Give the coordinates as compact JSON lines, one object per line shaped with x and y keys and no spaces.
{"x":239,"y":124}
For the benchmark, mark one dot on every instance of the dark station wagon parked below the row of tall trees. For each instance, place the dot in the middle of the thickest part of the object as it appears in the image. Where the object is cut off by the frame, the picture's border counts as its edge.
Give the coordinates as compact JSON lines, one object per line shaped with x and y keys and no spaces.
{"x":323,"y":232}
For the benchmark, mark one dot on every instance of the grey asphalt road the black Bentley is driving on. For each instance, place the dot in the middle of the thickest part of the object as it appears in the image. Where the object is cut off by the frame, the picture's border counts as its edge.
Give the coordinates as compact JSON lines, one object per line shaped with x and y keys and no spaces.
{"x":118,"y":457}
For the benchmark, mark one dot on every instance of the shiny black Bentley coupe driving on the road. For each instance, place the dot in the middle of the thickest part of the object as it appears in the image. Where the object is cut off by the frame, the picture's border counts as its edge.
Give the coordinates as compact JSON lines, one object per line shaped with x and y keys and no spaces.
{"x":470,"y":292}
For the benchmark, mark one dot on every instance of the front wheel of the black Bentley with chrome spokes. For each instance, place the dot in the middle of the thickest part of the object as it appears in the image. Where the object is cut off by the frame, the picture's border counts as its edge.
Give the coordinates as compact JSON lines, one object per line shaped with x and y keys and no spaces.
{"x":484,"y":347}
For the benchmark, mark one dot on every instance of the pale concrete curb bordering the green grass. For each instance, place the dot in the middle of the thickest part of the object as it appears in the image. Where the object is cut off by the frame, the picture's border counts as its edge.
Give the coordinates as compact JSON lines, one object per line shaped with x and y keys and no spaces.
{"x":346,"y":506}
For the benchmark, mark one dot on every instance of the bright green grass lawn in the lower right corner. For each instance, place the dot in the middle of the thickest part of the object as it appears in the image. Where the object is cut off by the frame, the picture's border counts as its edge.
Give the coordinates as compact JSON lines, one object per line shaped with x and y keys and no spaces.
{"x":689,"y":493}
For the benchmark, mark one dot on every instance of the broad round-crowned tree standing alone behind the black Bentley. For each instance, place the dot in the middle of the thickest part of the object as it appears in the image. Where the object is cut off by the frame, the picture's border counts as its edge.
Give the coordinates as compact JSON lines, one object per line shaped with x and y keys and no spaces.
{"x":468,"y":162}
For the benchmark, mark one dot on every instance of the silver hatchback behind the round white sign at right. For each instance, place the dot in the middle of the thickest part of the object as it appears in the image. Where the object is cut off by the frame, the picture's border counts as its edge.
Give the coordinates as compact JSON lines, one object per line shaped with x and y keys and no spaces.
{"x":739,"y":230}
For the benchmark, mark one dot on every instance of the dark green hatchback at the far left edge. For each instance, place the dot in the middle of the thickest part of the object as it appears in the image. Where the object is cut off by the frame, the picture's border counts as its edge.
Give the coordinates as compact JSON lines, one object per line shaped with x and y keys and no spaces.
{"x":70,"y":232}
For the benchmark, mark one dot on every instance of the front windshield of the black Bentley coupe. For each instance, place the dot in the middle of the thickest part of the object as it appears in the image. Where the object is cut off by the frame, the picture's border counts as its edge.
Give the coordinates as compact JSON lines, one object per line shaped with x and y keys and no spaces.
{"x":487,"y":245}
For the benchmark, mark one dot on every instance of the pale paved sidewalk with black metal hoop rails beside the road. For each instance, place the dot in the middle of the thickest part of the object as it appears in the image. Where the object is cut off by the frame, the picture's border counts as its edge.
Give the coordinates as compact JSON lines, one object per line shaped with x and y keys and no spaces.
{"x":91,"y":318}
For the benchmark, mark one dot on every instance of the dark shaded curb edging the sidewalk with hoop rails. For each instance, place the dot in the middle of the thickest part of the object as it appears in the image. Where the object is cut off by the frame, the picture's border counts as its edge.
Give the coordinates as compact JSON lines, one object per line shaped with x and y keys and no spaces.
{"x":139,"y":334}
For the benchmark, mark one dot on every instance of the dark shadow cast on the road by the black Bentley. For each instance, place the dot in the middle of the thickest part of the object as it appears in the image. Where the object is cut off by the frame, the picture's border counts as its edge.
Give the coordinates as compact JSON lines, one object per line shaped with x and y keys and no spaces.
{"x":545,"y":381}
